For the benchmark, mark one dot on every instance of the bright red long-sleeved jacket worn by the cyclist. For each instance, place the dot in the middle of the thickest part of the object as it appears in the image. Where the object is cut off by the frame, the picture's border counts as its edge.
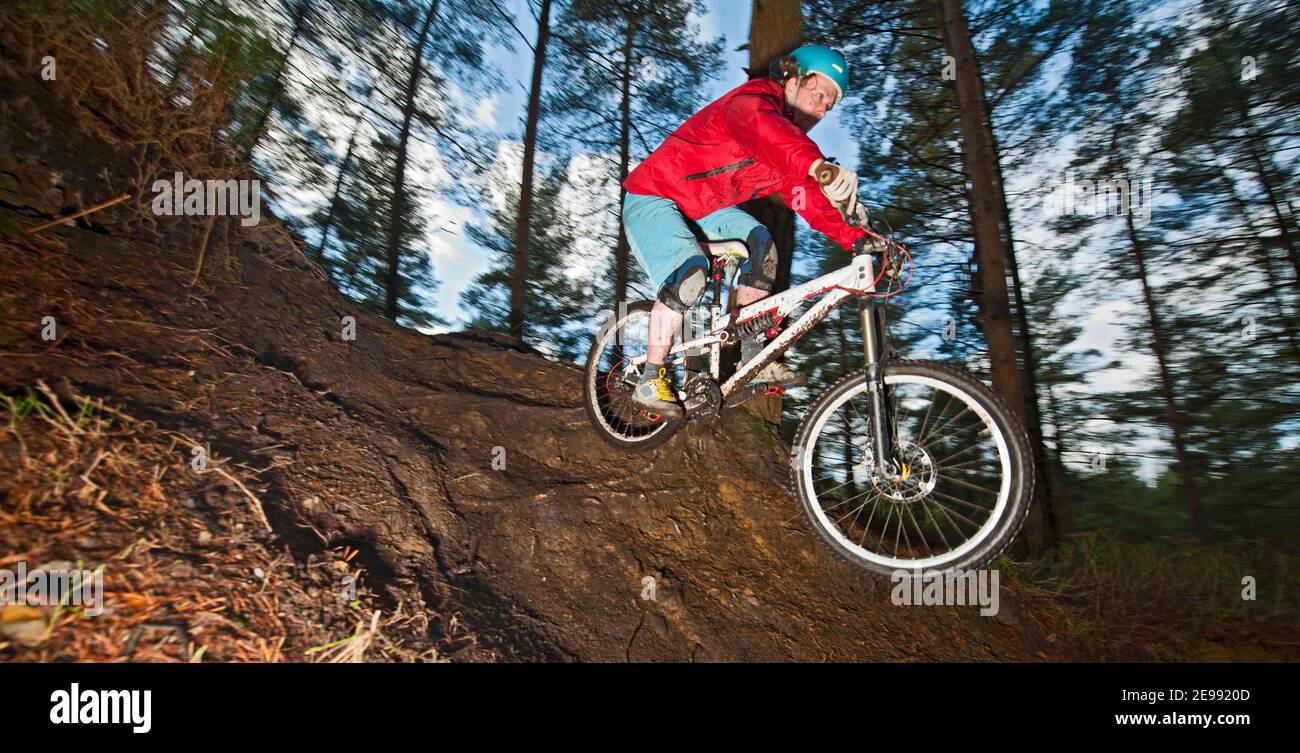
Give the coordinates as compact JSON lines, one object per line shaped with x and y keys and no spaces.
{"x":740,"y":148}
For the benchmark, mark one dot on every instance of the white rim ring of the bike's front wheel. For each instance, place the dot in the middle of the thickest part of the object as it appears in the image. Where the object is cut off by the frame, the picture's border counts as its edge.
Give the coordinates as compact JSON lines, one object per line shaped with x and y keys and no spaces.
{"x":930,"y":562}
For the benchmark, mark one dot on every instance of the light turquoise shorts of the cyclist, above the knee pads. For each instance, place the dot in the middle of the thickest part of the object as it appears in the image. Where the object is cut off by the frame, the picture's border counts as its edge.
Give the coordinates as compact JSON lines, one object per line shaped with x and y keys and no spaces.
{"x":662,"y":240}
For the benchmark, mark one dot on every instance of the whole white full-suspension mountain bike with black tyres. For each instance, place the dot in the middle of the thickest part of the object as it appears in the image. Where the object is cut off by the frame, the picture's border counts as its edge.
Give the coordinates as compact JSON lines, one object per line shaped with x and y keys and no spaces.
{"x":902,"y":465}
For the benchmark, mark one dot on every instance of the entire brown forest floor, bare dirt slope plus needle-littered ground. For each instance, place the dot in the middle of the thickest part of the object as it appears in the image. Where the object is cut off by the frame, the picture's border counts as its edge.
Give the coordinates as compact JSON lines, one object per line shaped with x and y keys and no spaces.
{"x":328,"y":460}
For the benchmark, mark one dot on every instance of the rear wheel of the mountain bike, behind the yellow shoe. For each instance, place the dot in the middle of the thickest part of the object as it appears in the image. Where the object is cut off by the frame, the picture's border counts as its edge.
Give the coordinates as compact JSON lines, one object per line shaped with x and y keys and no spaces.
{"x":609,"y":382}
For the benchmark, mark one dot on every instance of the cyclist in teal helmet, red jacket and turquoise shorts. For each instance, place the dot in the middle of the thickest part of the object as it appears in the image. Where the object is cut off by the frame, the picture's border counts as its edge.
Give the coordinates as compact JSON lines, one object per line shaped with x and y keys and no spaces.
{"x":748,"y":144}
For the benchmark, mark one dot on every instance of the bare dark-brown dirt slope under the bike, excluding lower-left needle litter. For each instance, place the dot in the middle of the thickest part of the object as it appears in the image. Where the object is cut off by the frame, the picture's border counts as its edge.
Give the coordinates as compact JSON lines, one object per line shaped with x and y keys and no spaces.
{"x":387,"y":444}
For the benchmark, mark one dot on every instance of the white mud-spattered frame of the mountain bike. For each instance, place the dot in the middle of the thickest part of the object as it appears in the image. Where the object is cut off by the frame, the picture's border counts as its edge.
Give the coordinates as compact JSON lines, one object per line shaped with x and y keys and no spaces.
{"x":856,"y":279}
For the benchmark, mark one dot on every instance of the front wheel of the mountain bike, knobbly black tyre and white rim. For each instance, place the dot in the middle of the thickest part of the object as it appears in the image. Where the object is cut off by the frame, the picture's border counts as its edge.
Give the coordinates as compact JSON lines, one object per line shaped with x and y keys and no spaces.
{"x":960,"y":495}
